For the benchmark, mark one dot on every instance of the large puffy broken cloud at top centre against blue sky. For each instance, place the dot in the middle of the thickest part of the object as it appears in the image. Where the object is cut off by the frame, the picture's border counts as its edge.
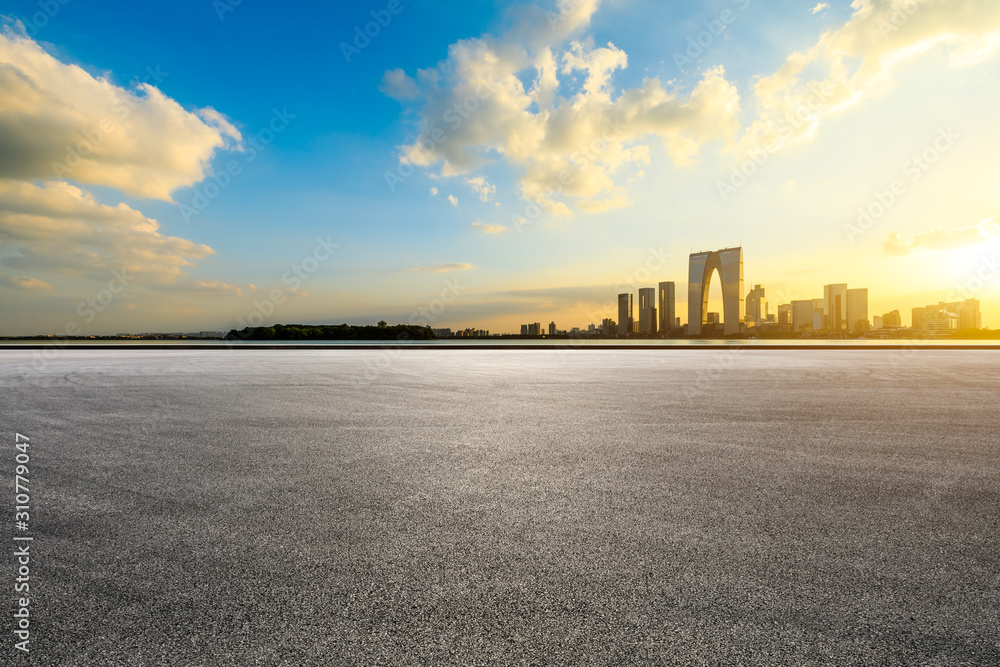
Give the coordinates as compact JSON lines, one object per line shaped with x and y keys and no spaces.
{"x":546,"y":105}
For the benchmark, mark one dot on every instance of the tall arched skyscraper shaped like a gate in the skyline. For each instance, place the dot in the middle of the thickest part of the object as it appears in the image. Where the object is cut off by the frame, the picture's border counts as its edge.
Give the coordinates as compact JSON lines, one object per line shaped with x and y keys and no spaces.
{"x":728,"y":262}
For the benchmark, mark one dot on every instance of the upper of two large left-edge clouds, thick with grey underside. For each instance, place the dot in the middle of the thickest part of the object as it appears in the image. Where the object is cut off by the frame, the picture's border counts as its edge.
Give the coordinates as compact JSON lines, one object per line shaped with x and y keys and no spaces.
{"x":59,"y":121}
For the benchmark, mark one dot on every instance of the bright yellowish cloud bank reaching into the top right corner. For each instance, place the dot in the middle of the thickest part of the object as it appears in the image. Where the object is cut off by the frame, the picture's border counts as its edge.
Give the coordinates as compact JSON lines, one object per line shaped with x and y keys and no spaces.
{"x":858,"y":60}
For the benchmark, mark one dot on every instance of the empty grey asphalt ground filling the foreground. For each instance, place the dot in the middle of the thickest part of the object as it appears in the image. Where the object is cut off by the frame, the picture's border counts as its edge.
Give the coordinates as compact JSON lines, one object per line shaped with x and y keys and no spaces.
{"x":679,"y":507}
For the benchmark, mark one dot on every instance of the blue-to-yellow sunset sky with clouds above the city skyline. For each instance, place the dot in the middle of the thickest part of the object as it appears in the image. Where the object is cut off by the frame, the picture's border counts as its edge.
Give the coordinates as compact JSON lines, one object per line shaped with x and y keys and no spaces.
{"x":486,"y":164}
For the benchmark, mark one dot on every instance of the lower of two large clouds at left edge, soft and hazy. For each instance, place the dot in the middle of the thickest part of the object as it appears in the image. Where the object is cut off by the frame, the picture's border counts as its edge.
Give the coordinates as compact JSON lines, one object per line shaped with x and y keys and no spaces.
{"x":59,"y":228}
